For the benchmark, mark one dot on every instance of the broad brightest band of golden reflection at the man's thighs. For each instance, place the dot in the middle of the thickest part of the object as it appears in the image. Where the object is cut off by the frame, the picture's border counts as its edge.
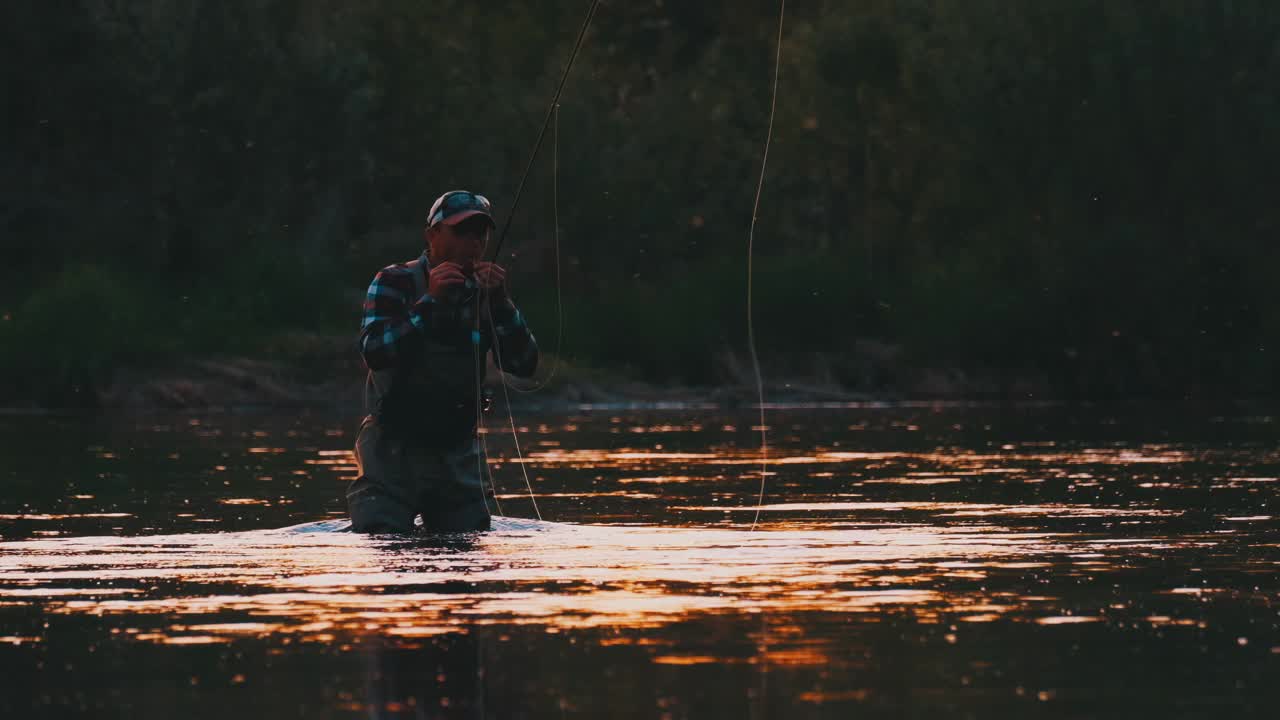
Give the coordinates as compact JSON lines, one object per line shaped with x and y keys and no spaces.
{"x":319,"y":586}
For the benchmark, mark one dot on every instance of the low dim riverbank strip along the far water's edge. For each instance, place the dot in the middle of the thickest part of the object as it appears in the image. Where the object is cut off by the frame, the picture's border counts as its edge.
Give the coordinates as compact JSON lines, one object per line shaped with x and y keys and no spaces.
{"x":324,"y":372}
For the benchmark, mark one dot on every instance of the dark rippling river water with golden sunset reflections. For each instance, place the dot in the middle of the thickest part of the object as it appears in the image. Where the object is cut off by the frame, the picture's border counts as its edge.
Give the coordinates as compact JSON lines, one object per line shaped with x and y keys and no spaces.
{"x":907,"y":562}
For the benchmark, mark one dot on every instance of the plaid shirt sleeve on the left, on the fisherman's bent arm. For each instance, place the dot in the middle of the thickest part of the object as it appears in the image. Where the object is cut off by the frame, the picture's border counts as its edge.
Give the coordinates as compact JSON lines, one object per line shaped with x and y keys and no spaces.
{"x":394,"y":321}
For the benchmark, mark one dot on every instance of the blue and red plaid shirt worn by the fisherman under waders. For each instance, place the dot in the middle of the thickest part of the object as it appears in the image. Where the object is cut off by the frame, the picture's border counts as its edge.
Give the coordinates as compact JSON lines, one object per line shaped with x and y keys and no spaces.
{"x":396,"y":321}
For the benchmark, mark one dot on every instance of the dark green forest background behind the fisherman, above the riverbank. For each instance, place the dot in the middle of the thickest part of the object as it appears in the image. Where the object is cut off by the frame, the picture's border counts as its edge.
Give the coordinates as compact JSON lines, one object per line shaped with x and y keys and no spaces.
{"x":1080,"y":192}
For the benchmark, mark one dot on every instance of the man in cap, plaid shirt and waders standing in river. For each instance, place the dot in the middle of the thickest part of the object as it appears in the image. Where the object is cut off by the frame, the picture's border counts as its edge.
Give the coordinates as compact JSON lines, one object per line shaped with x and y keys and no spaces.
{"x":427,"y":330}
